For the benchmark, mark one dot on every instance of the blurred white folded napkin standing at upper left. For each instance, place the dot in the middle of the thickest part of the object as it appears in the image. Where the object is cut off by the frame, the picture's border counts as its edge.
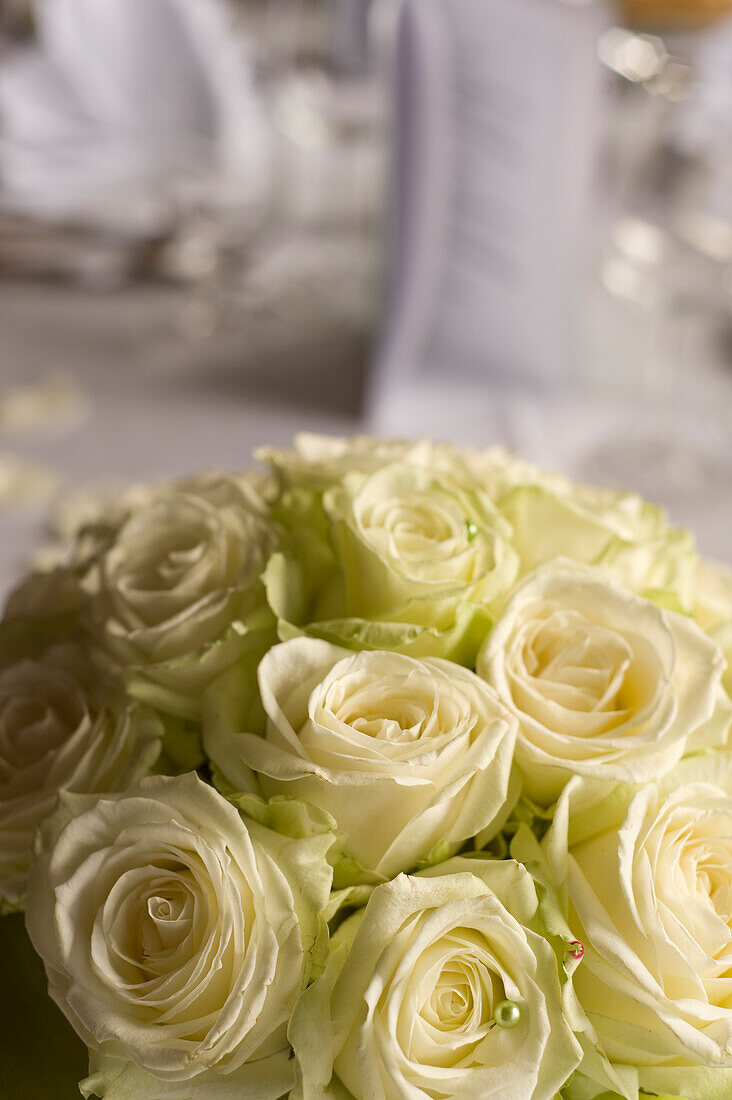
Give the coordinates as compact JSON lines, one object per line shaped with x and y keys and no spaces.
{"x":129,"y":111}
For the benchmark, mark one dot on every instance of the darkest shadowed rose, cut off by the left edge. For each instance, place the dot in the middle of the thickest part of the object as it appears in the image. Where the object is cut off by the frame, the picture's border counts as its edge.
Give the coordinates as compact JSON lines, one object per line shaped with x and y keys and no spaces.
{"x":62,"y":729}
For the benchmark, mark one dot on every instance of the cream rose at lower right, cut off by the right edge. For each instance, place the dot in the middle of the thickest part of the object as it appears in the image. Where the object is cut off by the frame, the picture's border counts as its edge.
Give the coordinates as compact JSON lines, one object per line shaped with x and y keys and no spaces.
{"x":648,"y":877}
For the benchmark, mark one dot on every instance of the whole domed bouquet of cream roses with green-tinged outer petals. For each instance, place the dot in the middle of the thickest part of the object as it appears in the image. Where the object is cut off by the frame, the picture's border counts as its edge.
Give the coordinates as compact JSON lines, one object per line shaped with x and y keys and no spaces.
{"x":394,"y":771}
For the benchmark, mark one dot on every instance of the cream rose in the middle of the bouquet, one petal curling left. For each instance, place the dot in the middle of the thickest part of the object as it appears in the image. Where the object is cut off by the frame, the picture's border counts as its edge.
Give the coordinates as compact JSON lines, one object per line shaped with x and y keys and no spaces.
{"x":411,"y":757}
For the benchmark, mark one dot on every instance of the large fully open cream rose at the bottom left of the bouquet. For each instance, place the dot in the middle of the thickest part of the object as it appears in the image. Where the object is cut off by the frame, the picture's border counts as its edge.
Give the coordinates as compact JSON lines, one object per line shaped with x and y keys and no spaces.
{"x":177,"y":940}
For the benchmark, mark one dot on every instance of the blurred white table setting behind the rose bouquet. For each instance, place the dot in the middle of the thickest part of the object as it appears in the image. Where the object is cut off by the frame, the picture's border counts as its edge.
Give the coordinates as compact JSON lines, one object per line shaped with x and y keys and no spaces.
{"x":489,"y":221}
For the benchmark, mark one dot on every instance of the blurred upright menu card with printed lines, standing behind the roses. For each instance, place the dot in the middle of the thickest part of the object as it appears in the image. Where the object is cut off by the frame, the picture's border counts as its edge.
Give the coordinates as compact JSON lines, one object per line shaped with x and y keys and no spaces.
{"x":498,"y":124}
